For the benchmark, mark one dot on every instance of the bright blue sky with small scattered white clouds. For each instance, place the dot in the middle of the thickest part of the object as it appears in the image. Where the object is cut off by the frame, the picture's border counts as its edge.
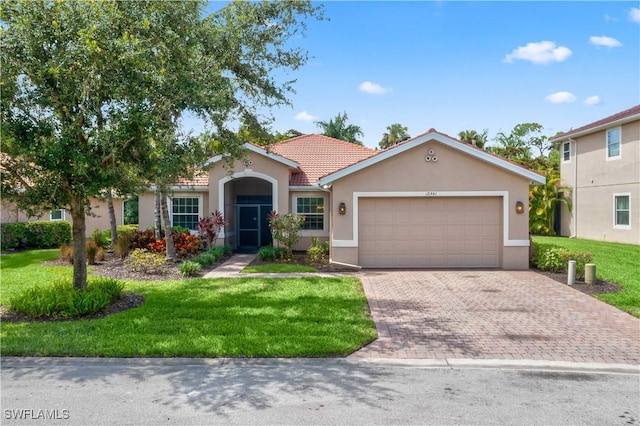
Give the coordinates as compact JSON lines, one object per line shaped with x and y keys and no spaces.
{"x":465,"y":65}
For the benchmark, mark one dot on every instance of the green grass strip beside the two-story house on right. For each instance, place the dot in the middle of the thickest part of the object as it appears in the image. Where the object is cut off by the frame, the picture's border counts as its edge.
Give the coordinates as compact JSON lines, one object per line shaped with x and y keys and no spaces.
{"x":617,"y":263}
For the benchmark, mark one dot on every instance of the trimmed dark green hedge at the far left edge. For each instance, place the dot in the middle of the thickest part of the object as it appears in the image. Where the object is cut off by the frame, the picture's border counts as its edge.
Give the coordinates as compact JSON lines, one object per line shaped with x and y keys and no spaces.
{"x":39,"y":234}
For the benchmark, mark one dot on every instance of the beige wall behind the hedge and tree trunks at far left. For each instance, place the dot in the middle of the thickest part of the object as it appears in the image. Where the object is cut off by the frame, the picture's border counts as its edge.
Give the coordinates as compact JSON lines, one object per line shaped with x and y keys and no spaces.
{"x":98,"y":219}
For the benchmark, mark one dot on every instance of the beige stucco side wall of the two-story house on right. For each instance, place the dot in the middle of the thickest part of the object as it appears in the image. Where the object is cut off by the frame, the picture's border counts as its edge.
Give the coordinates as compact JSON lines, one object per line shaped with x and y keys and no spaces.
{"x":594,"y":181}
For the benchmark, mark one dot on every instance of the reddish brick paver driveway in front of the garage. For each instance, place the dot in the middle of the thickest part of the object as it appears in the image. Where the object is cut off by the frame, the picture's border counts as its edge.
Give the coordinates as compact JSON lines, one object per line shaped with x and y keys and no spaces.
{"x":493,"y":315}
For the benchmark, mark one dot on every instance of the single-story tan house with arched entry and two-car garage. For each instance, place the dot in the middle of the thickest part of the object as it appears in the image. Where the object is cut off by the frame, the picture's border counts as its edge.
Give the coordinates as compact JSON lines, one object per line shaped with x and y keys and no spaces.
{"x":431,"y":201}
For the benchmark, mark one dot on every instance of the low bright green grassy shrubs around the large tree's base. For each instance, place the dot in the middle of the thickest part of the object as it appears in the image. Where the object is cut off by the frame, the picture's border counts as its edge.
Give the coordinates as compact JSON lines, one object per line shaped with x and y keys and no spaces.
{"x":60,"y":299}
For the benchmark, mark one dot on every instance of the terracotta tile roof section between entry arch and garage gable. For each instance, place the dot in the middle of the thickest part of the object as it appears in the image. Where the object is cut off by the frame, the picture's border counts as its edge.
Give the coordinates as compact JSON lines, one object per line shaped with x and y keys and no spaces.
{"x":319,"y":155}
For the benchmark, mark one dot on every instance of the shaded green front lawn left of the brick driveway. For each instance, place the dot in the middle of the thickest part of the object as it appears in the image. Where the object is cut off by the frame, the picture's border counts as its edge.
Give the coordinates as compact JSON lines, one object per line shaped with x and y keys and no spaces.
{"x":240,"y":317}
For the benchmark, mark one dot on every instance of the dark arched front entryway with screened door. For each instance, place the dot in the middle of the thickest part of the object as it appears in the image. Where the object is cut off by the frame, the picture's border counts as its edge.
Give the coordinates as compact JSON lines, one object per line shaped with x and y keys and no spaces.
{"x":247,"y":203}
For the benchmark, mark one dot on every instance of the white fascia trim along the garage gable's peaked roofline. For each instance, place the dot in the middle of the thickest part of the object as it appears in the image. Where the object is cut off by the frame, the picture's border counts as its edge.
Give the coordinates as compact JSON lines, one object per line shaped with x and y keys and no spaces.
{"x":433,"y":135}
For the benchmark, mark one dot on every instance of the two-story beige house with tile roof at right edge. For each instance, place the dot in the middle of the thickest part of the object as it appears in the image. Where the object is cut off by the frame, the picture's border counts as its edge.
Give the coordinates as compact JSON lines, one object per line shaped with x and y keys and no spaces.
{"x":600,"y":162}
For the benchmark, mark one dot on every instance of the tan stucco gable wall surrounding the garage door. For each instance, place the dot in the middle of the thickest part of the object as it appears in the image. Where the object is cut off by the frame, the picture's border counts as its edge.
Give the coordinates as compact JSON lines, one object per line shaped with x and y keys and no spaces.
{"x":454,"y":171}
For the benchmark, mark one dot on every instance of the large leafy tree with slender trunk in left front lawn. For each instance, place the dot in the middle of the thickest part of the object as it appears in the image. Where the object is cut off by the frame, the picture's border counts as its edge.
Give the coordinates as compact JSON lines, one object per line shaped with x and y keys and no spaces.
{"x":92,"y":93}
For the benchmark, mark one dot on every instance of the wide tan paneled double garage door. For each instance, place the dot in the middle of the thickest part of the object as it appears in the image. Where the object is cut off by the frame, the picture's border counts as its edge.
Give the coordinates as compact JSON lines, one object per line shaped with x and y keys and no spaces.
{"x":430,"y":232}
